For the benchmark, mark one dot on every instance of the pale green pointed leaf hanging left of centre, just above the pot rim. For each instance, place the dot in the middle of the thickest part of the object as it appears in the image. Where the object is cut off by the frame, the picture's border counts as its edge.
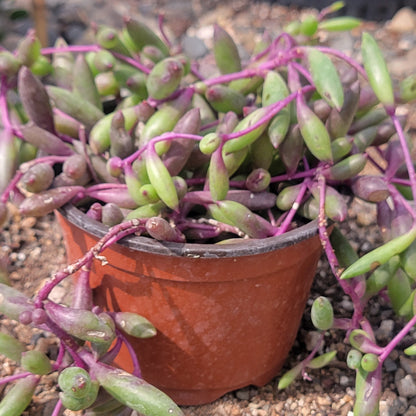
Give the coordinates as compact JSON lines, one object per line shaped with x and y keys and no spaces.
{"x":161,"y":180}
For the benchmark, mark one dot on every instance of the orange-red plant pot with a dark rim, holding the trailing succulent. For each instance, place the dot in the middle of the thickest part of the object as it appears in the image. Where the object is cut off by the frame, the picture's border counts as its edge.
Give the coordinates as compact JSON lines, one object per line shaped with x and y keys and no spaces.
{"x":226,"y":315}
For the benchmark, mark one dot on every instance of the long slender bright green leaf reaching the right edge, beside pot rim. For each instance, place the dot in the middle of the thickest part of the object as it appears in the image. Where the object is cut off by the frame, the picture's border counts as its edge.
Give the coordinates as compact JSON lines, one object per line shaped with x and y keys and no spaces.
{"x":380,"y":255}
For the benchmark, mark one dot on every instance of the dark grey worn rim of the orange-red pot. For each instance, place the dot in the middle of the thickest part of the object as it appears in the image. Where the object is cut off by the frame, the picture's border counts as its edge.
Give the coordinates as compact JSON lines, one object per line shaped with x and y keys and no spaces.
{"x":194,"y":250}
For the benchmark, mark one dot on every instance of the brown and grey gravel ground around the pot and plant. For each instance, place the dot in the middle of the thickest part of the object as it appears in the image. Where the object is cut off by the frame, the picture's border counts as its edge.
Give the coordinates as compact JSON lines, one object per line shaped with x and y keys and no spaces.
{"x":34,"y":247}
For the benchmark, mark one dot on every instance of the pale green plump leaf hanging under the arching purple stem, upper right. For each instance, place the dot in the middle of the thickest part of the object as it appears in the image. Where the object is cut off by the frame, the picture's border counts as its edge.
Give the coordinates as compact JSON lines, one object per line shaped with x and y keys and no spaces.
{"x":326,"y":78}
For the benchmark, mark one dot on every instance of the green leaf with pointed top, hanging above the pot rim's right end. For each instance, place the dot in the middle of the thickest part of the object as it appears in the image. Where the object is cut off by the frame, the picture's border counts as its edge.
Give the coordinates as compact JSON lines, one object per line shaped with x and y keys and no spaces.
{"x":313,"y":131}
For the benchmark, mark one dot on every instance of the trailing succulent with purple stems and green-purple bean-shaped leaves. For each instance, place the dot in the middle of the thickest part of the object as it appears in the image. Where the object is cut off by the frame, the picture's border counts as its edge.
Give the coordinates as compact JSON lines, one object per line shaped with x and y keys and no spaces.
{"x":132,"y":132}
